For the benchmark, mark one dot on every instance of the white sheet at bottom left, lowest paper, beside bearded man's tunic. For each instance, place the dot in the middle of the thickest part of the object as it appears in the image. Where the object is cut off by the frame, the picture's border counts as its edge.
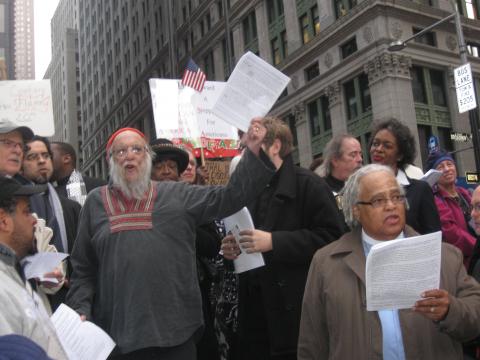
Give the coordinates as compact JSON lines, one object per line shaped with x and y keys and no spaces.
{"x":81,"y":340}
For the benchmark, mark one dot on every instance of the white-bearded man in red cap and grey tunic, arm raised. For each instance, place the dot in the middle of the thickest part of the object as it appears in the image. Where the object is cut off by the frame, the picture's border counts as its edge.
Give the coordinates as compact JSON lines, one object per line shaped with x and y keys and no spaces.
{"x":134,"y":268}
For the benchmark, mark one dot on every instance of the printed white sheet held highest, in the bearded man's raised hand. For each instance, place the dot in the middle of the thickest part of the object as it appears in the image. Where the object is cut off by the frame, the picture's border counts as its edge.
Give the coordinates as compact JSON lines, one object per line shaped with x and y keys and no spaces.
{"x":251,"y":90}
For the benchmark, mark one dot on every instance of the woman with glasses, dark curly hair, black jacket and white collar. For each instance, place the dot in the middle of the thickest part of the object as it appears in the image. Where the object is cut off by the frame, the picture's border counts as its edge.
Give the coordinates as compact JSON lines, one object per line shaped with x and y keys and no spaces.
{"x":393,"y":145}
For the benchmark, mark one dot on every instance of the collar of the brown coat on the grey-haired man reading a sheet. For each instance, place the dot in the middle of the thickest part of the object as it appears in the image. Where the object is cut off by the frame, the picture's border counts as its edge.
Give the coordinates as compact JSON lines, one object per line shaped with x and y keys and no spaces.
{"x":350,"y":247}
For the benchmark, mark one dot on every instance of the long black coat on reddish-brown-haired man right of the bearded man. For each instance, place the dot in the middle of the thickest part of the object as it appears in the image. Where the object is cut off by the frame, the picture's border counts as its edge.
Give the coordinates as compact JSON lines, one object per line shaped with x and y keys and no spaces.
{"x":302,"y":217}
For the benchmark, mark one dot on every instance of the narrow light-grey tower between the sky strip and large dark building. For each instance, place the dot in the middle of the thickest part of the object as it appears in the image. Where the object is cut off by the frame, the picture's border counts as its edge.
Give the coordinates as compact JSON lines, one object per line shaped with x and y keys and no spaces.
{"x":64,"y":74}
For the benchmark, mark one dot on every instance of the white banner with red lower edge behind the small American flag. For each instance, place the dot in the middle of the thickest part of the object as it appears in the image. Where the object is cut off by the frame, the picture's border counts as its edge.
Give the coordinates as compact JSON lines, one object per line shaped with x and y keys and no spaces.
{"x":184,"y":116}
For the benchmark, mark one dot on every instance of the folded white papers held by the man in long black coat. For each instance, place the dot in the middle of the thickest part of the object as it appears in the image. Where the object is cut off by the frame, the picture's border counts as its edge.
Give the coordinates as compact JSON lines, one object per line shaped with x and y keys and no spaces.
{"x":235,"y":223}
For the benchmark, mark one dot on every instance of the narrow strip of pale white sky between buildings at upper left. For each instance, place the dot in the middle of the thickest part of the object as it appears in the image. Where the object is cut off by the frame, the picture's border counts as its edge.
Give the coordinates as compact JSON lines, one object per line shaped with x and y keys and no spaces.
{"x":43,"y":13}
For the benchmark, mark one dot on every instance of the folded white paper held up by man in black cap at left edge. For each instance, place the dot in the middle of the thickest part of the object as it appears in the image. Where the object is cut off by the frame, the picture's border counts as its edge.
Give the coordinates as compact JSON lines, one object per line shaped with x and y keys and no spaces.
{"x":35,"y":266}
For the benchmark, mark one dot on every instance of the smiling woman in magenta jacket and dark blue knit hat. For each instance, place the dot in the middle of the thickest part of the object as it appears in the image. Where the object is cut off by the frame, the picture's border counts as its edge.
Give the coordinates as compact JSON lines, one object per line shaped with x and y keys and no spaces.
{"x":453,"y":204}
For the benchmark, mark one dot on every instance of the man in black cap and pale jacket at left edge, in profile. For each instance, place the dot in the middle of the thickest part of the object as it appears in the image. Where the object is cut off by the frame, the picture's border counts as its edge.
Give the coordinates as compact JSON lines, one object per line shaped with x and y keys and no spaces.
{"x":22,"y":312}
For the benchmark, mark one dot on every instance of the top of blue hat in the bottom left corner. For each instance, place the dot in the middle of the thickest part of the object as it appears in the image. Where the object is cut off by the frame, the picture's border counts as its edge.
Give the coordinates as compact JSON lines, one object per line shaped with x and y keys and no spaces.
{"x":17,"y":347}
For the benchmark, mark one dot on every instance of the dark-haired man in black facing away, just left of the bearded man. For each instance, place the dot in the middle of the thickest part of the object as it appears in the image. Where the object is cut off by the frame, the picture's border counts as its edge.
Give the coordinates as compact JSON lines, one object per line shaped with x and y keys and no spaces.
{"x":68,"y":181}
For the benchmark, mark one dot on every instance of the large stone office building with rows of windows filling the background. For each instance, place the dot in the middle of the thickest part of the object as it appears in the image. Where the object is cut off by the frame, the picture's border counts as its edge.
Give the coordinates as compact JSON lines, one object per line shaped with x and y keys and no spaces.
{"x":335,"y":51}
